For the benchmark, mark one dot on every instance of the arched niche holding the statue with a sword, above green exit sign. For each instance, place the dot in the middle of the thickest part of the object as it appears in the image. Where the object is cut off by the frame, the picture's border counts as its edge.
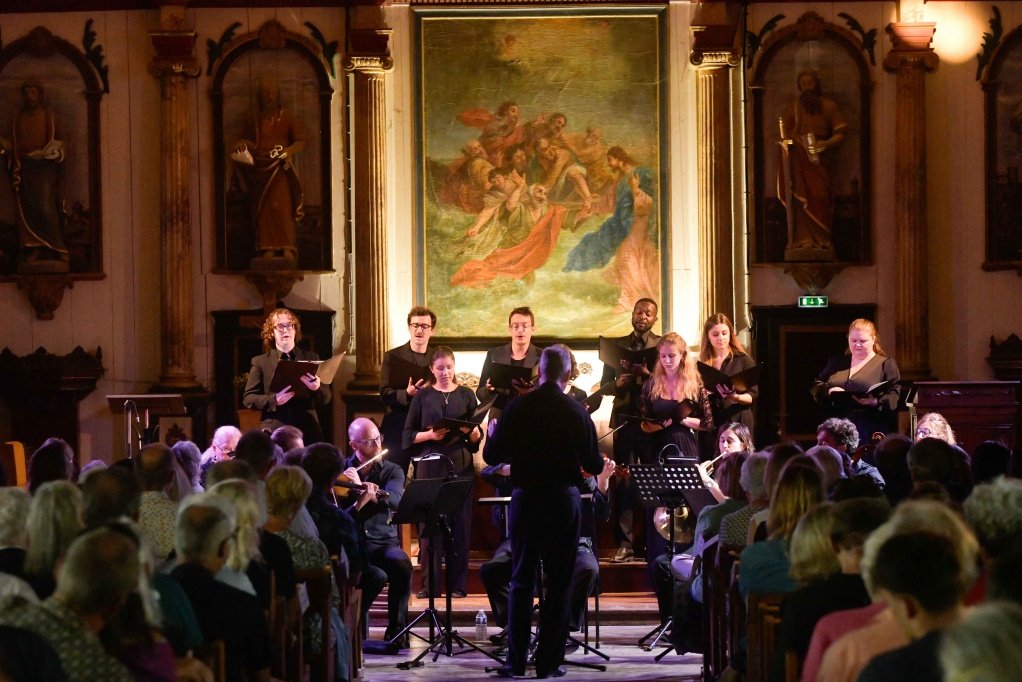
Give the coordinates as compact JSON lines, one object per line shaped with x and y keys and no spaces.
{"x":811,"y":125}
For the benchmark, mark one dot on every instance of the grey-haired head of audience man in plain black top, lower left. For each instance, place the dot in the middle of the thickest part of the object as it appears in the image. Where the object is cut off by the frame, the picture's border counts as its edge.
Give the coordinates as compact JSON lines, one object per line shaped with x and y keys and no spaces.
{"x":203,"y":529}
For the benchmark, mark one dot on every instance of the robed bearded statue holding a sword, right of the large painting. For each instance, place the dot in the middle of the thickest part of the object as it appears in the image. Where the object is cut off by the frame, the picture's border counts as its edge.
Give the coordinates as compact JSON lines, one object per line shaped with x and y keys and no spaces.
{"x":811,"y":128}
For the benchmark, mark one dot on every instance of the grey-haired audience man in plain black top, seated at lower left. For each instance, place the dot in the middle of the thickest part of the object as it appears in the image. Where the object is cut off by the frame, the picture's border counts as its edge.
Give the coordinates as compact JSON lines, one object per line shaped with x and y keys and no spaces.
{"x":203,"y":534}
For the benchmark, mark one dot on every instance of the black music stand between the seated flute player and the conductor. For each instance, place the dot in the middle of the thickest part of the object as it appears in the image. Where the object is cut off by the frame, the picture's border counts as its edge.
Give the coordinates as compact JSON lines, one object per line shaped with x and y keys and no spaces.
{"x":435,"y":503}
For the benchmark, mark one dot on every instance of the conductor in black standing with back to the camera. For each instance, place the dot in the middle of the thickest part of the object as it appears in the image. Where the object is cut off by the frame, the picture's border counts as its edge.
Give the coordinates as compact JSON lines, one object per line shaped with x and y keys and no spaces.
{"x":549,"y":439}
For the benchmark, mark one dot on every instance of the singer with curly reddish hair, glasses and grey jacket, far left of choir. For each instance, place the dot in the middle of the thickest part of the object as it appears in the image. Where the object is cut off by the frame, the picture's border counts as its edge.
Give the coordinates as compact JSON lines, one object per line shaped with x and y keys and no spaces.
{"x":282,"y":332}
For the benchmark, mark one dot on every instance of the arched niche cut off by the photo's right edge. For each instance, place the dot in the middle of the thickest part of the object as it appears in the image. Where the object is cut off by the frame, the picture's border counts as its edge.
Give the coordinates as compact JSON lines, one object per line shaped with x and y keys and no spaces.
{"x":1003,"y":87}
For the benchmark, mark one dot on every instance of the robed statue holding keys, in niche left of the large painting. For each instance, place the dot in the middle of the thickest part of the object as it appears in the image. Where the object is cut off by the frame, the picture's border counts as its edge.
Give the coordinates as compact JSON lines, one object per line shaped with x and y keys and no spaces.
{"x":265,"y":173}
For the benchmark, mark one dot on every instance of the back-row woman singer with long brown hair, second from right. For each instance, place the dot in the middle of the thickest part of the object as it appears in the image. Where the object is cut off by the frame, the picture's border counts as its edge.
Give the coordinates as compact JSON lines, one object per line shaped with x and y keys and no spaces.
{"x":722,"y":350}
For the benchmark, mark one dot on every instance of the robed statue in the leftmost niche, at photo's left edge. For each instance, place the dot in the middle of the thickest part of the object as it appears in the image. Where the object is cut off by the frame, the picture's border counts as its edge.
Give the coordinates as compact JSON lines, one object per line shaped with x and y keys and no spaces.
{"x":35,"y":156}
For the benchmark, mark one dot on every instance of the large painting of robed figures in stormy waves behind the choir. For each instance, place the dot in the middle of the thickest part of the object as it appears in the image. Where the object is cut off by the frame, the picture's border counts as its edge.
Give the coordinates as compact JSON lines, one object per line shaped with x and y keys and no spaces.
{"x":542,"y":173}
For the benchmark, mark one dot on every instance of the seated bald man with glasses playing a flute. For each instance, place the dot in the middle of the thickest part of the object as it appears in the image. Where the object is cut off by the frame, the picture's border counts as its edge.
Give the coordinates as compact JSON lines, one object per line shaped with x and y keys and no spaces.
{"x":374,"y":516}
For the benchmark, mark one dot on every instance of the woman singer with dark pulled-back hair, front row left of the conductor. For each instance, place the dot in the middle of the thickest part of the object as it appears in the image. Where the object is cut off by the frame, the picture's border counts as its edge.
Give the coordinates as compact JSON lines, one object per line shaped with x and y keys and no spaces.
{"x":445,"y":398}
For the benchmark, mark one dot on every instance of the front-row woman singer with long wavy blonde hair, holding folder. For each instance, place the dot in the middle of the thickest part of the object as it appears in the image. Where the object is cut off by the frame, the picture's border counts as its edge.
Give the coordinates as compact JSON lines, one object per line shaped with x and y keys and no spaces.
{"x":676,"y":399}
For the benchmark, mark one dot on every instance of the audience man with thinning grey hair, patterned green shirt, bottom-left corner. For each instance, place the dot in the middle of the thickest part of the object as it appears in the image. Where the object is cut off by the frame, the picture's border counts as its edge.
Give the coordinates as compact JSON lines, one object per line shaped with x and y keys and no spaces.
{"x":99,"y":573}
